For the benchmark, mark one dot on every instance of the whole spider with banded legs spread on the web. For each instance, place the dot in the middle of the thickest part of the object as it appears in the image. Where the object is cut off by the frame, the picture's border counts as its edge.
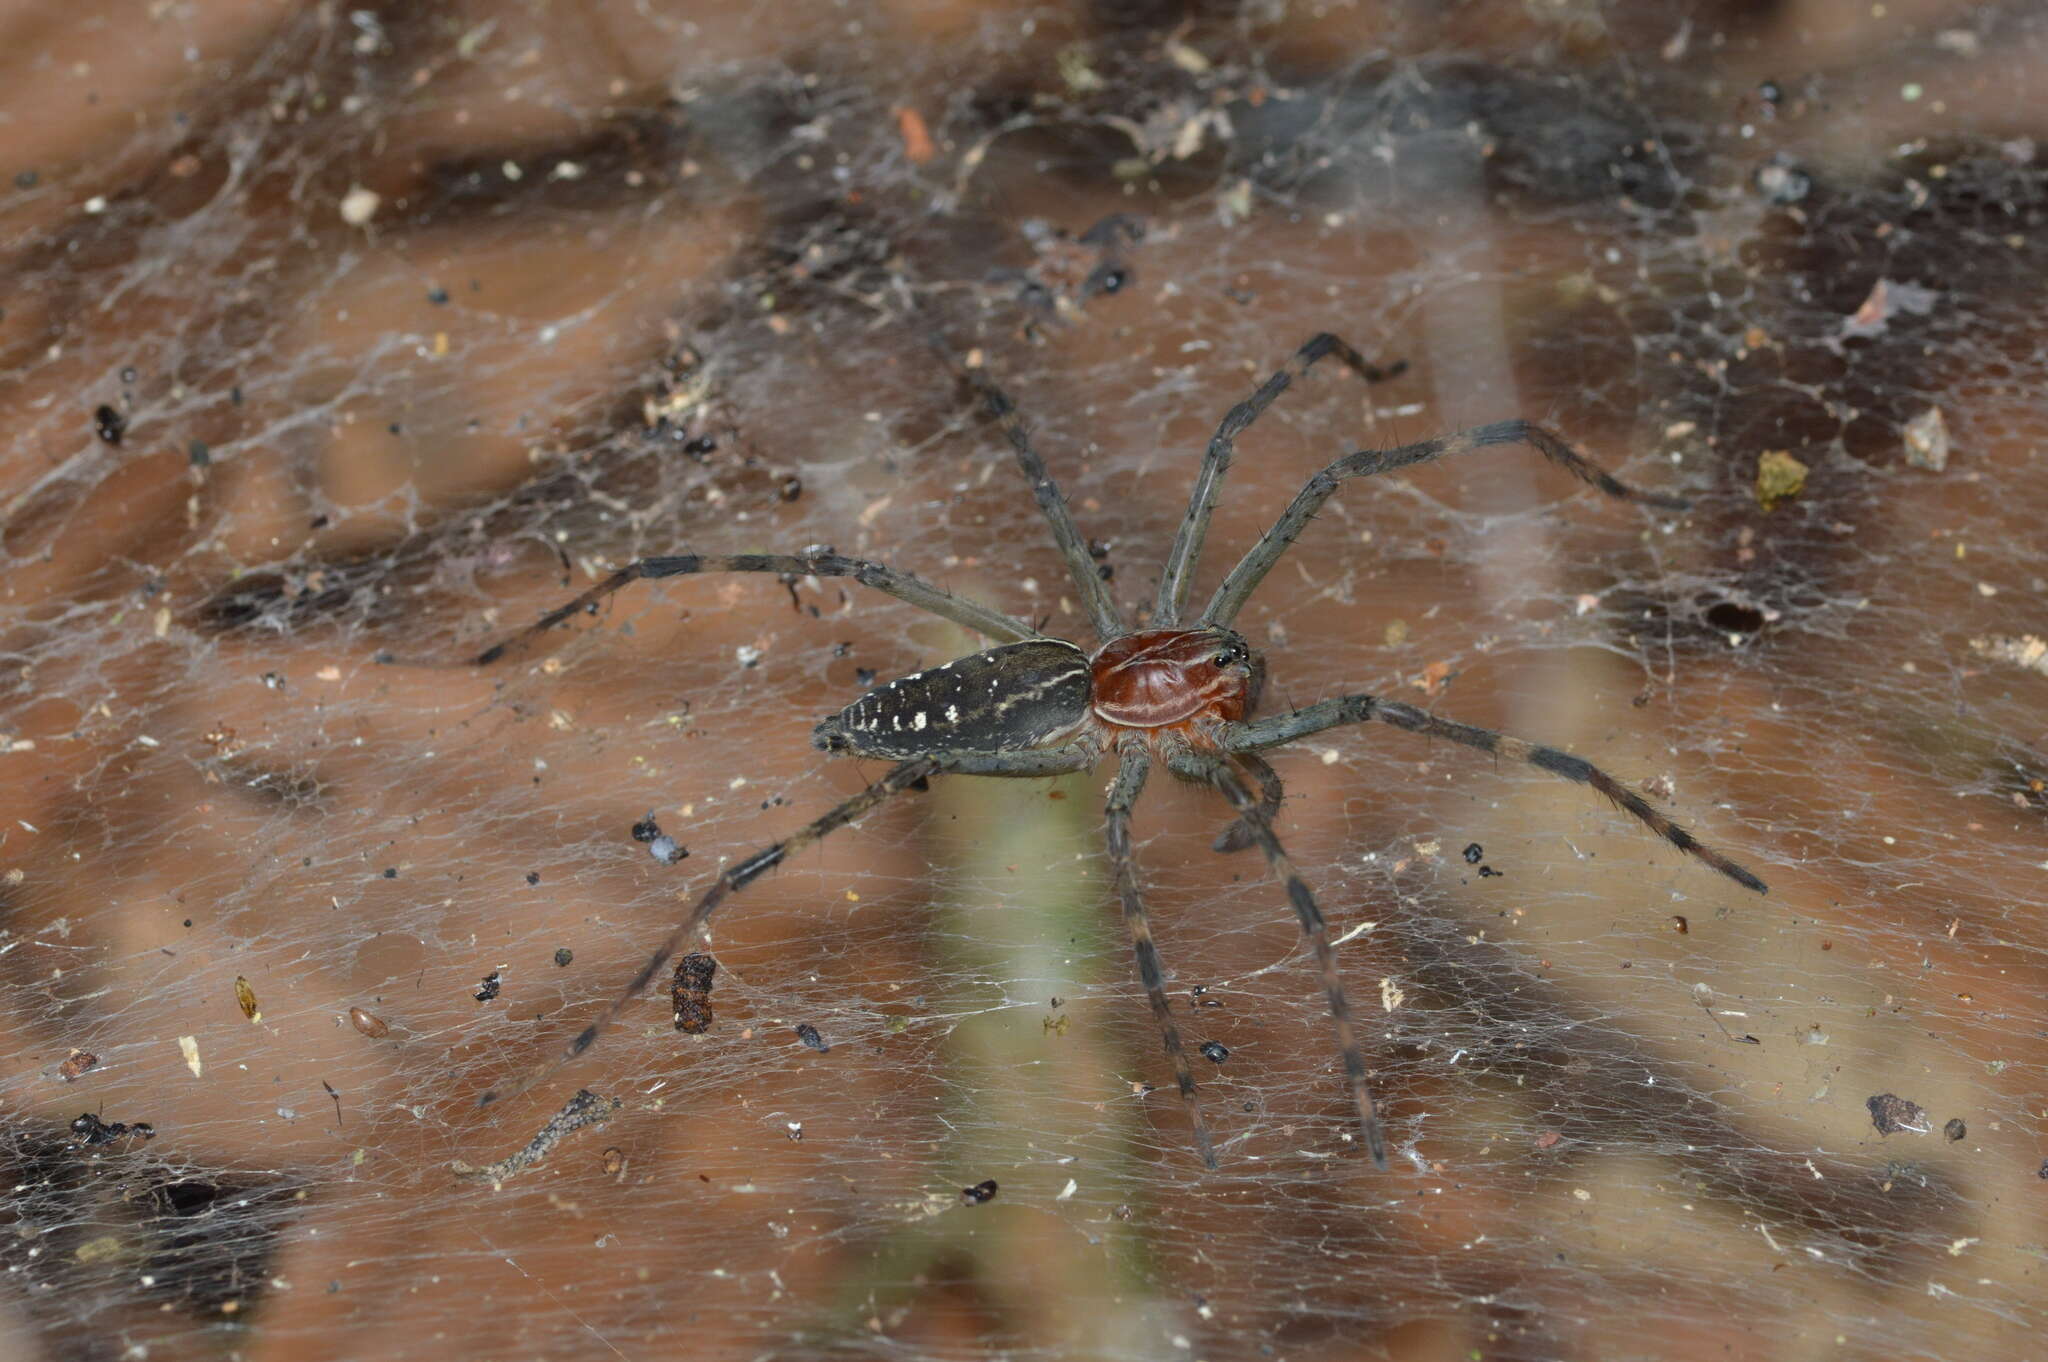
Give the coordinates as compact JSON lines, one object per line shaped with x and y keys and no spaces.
{"x":1179,"y":693}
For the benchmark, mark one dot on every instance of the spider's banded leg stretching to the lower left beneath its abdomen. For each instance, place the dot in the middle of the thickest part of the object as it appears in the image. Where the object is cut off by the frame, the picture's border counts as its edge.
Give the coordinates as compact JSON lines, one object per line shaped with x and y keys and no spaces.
{"x":900,"y":777}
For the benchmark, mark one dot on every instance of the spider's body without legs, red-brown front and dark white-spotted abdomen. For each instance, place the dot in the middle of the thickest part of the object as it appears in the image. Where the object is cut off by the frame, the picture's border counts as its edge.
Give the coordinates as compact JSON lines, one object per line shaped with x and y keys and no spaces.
{"x":1048,"y":691}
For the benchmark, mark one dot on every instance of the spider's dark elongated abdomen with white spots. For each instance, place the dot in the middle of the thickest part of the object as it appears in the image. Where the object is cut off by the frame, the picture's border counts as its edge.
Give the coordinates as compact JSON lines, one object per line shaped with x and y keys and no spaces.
{"x":1009,"y":699}
